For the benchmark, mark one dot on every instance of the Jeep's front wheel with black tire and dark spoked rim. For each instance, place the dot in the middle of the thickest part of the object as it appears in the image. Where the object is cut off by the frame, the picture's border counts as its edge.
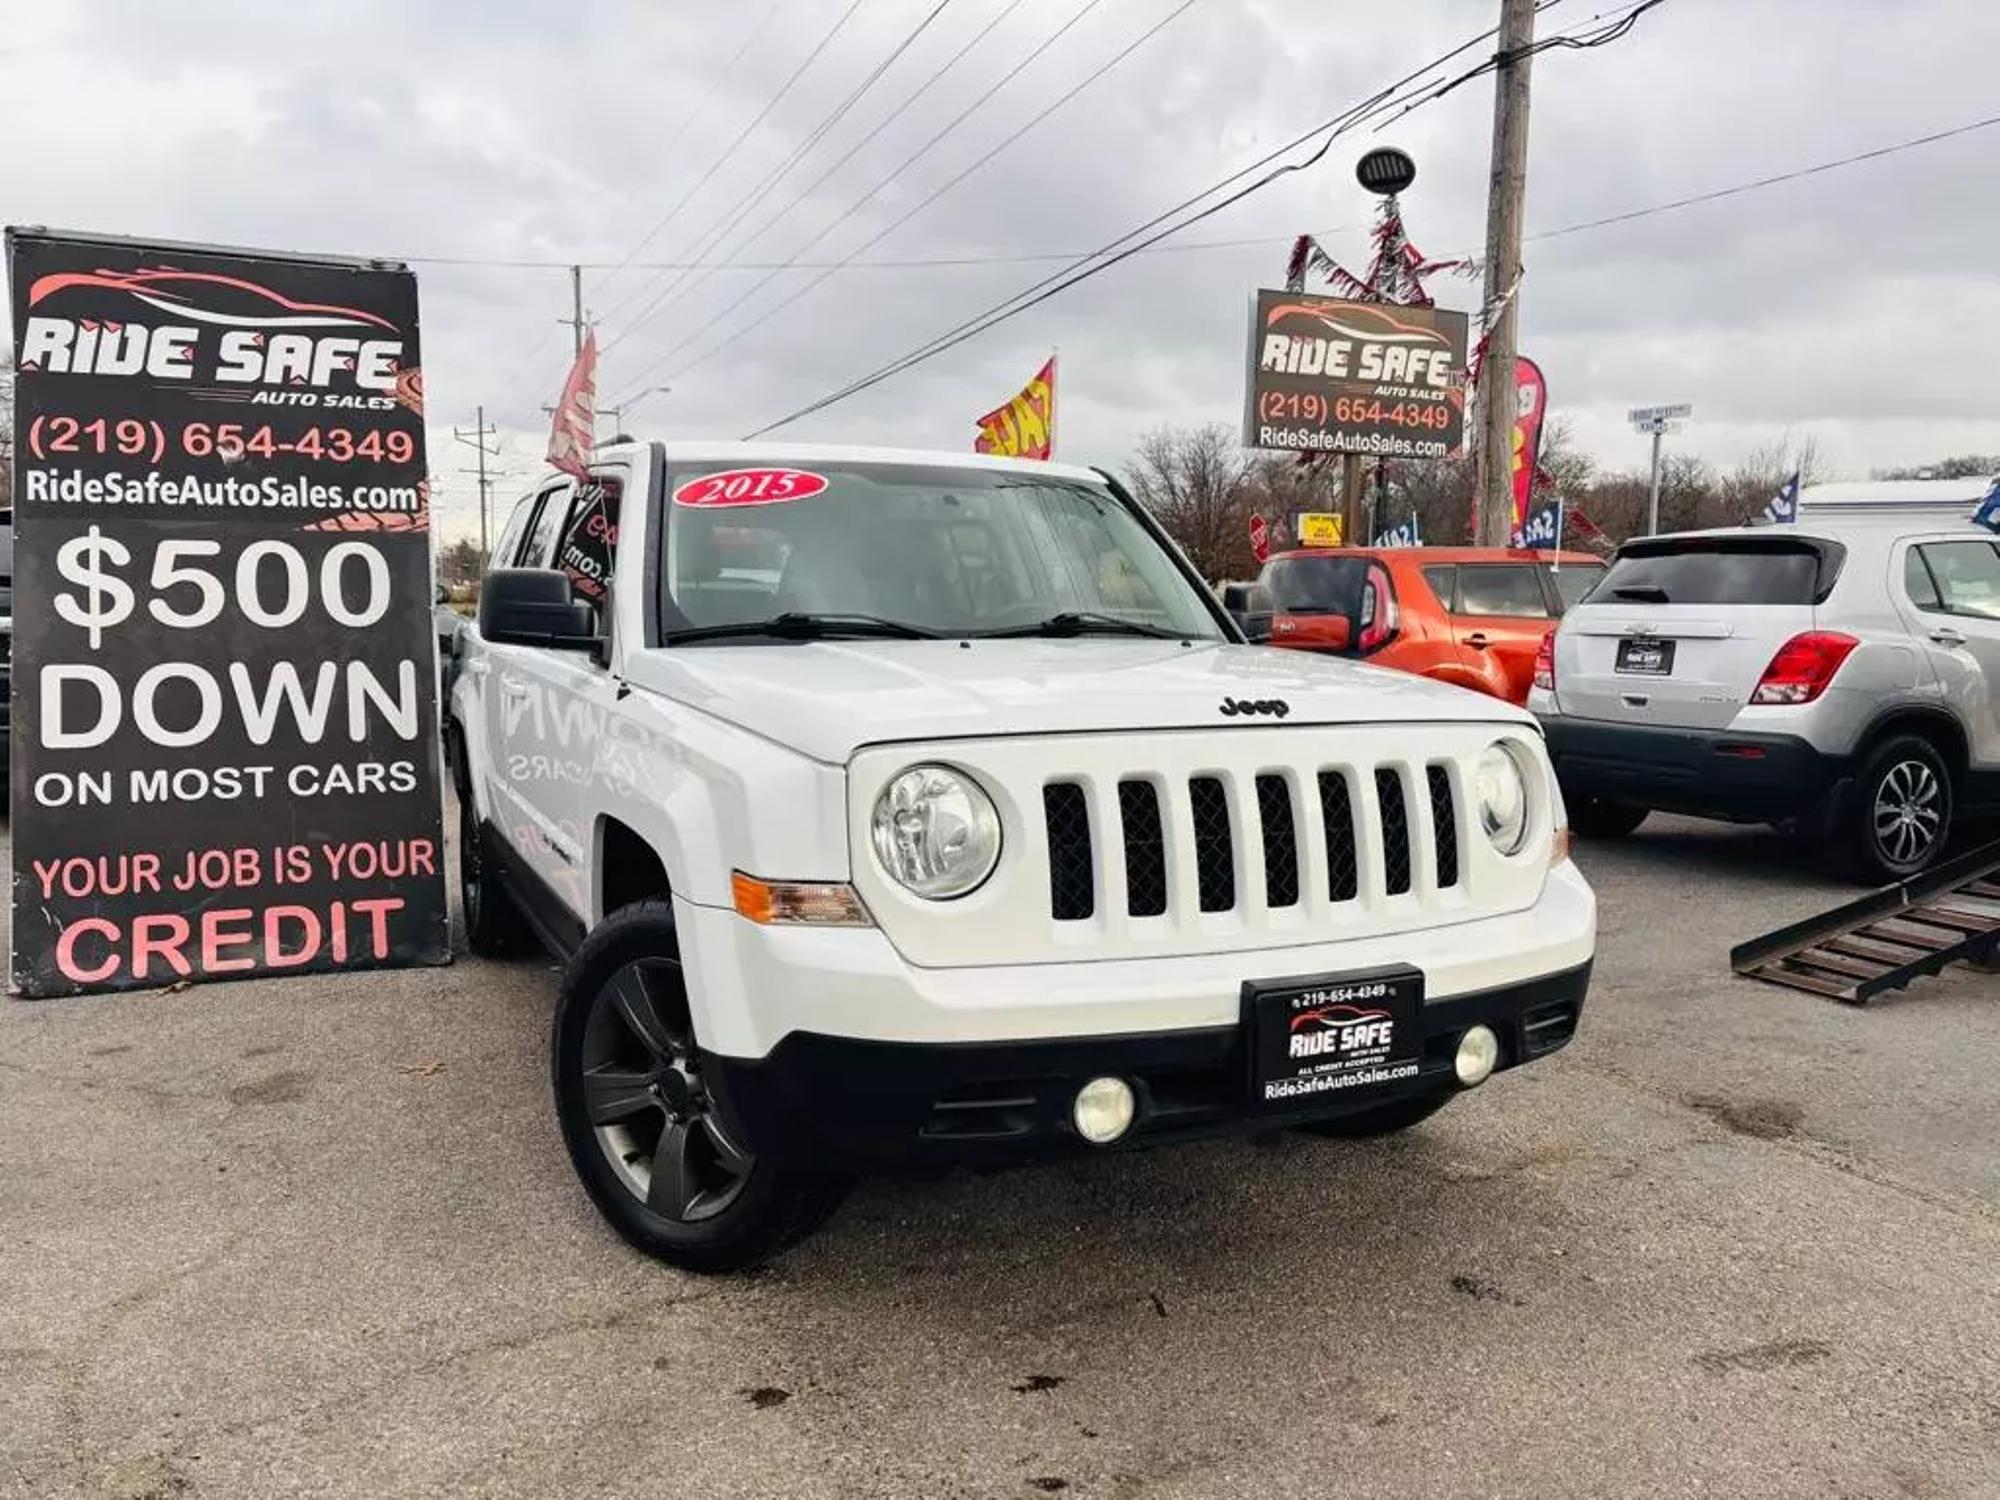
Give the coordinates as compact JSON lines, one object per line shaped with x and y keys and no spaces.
{"x":655,"y":1151}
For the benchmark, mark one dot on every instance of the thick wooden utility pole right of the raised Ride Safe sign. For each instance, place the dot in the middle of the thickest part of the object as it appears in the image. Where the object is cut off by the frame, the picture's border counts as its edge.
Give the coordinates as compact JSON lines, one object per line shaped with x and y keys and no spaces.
{"x":1505,"y":191}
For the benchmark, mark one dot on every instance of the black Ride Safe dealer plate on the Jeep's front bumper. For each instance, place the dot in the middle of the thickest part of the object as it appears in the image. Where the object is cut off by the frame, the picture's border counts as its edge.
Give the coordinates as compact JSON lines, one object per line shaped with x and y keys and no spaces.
{"x":1337,"y":1035}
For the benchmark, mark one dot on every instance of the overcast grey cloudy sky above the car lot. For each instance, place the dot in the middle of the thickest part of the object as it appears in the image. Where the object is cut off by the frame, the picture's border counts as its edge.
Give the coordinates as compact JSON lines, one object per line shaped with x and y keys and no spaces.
{"x":1851,"y":307}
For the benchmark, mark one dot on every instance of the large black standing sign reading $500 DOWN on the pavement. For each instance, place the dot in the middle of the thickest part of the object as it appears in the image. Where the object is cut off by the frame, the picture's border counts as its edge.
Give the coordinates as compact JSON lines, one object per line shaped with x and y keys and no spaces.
{"x":225,"y":679}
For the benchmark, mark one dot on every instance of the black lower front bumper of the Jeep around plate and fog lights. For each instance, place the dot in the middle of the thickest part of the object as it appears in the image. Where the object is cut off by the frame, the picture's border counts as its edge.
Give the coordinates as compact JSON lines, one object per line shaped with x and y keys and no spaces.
{"x":833,"y":1099}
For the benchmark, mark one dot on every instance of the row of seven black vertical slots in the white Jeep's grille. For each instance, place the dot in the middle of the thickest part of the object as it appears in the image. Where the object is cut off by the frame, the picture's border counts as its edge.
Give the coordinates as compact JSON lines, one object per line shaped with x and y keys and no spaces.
{"x":1213,"y":819}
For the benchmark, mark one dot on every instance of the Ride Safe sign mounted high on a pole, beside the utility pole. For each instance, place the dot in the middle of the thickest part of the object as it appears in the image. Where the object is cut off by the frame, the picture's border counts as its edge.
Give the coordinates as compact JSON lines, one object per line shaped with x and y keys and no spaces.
{"x":1331,"y":375}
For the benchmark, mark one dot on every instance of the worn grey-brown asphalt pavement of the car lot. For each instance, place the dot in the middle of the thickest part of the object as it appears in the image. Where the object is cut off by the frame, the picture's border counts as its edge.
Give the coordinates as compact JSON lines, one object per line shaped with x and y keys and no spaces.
{"x":321,"y":1239}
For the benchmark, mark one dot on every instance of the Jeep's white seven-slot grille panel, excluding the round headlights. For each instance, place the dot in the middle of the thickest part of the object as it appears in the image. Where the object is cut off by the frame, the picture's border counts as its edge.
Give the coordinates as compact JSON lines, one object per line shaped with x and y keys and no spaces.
{"x":1189,"y":841}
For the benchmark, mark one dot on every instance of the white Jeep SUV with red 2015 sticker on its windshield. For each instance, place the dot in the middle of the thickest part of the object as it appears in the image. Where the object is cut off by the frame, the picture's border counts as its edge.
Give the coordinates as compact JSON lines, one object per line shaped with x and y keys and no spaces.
{"x":897,"y":807}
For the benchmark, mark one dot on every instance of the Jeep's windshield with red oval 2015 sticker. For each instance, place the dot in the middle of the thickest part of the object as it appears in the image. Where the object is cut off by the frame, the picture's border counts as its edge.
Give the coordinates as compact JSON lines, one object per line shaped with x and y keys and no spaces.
{"x":945,"y":551}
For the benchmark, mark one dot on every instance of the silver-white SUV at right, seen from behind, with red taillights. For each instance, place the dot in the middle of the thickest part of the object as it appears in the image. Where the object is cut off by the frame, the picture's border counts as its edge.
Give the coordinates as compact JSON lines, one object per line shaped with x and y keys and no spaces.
{"x":1841,"y":679}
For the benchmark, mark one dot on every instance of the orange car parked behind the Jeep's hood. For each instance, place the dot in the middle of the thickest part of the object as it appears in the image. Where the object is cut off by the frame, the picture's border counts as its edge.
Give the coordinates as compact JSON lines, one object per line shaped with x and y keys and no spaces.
{"x":1463,"y":615}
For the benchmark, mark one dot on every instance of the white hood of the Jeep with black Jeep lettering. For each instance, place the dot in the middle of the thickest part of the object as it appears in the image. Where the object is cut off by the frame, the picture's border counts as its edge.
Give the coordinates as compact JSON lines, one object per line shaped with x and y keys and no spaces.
{"x":829,"y":699}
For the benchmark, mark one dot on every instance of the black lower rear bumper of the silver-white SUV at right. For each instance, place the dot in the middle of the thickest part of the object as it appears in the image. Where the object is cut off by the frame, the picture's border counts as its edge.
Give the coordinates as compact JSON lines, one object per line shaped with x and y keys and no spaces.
{"x":1705,"y":773}
